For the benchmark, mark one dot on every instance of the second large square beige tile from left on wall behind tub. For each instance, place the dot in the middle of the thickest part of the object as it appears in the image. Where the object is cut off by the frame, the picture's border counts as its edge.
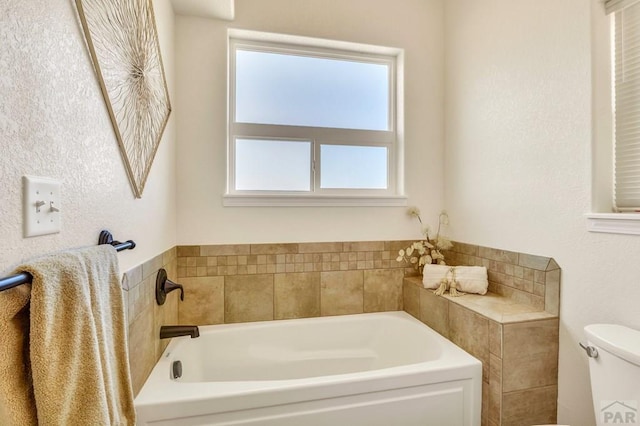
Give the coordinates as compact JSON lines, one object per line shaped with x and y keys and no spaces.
{"x":248,"y":298}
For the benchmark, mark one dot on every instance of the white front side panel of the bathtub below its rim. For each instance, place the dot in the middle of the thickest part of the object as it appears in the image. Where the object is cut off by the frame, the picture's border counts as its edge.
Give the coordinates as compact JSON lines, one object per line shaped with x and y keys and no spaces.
{"x":442,"y":404}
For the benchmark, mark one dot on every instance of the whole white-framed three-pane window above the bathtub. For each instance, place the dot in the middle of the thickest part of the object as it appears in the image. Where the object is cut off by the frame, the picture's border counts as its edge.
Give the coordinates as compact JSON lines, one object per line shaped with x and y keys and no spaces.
{"x":312,"y":122}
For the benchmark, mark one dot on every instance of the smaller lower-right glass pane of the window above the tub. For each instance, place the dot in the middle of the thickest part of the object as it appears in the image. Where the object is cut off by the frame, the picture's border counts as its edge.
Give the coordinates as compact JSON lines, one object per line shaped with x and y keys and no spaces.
{"x":358,"y":167}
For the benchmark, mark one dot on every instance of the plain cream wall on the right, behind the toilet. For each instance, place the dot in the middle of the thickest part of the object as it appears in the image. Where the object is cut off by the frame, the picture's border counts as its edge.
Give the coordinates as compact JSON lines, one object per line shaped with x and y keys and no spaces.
{"x":518,"y":161}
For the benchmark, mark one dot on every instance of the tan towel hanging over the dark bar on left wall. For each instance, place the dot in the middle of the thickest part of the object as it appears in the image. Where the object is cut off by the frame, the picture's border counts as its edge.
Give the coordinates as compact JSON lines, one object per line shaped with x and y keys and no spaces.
{"x":75,"y":369}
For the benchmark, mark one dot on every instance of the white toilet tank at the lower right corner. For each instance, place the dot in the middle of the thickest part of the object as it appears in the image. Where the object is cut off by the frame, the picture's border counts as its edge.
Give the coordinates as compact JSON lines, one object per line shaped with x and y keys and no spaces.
{"x":615,"y":373}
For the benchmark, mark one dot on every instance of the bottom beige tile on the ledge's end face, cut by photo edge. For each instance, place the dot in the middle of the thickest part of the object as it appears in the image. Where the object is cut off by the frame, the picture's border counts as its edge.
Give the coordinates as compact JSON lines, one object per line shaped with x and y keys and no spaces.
{"x":530,"y":407}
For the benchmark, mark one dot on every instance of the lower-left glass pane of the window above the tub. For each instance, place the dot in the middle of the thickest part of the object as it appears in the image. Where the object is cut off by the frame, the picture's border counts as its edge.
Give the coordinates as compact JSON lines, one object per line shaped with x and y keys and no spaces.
{"x":273,"y":165}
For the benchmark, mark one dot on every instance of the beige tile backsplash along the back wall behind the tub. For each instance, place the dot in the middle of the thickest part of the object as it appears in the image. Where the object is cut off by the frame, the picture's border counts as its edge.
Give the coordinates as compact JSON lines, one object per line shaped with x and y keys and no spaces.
{"x":257,"y":282}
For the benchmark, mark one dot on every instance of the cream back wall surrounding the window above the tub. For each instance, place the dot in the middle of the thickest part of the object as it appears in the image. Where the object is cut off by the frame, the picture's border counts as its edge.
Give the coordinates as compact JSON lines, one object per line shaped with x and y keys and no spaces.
{"x":201,"y":120}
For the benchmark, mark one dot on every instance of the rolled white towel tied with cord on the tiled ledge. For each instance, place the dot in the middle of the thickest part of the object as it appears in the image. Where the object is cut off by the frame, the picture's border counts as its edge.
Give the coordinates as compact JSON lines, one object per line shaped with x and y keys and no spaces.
{"x":467,"y":279}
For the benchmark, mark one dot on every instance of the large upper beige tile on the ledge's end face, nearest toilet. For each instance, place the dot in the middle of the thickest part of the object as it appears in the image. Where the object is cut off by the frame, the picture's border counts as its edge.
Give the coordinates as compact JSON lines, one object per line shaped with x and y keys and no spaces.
{"x":530,"y":355}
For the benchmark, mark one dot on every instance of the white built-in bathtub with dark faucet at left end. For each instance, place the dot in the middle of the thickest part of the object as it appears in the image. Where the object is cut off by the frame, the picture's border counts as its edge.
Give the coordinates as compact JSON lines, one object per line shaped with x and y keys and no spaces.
{"x":376,"y":369}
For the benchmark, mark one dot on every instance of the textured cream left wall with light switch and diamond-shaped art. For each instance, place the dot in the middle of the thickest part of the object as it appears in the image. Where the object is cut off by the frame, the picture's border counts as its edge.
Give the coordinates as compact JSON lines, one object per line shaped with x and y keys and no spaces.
{"x":53,"y":122}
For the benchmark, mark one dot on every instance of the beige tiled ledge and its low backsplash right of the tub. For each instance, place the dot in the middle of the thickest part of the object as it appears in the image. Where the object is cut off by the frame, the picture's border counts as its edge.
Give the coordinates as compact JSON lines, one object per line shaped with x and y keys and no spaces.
{"x":513,"y":330}
